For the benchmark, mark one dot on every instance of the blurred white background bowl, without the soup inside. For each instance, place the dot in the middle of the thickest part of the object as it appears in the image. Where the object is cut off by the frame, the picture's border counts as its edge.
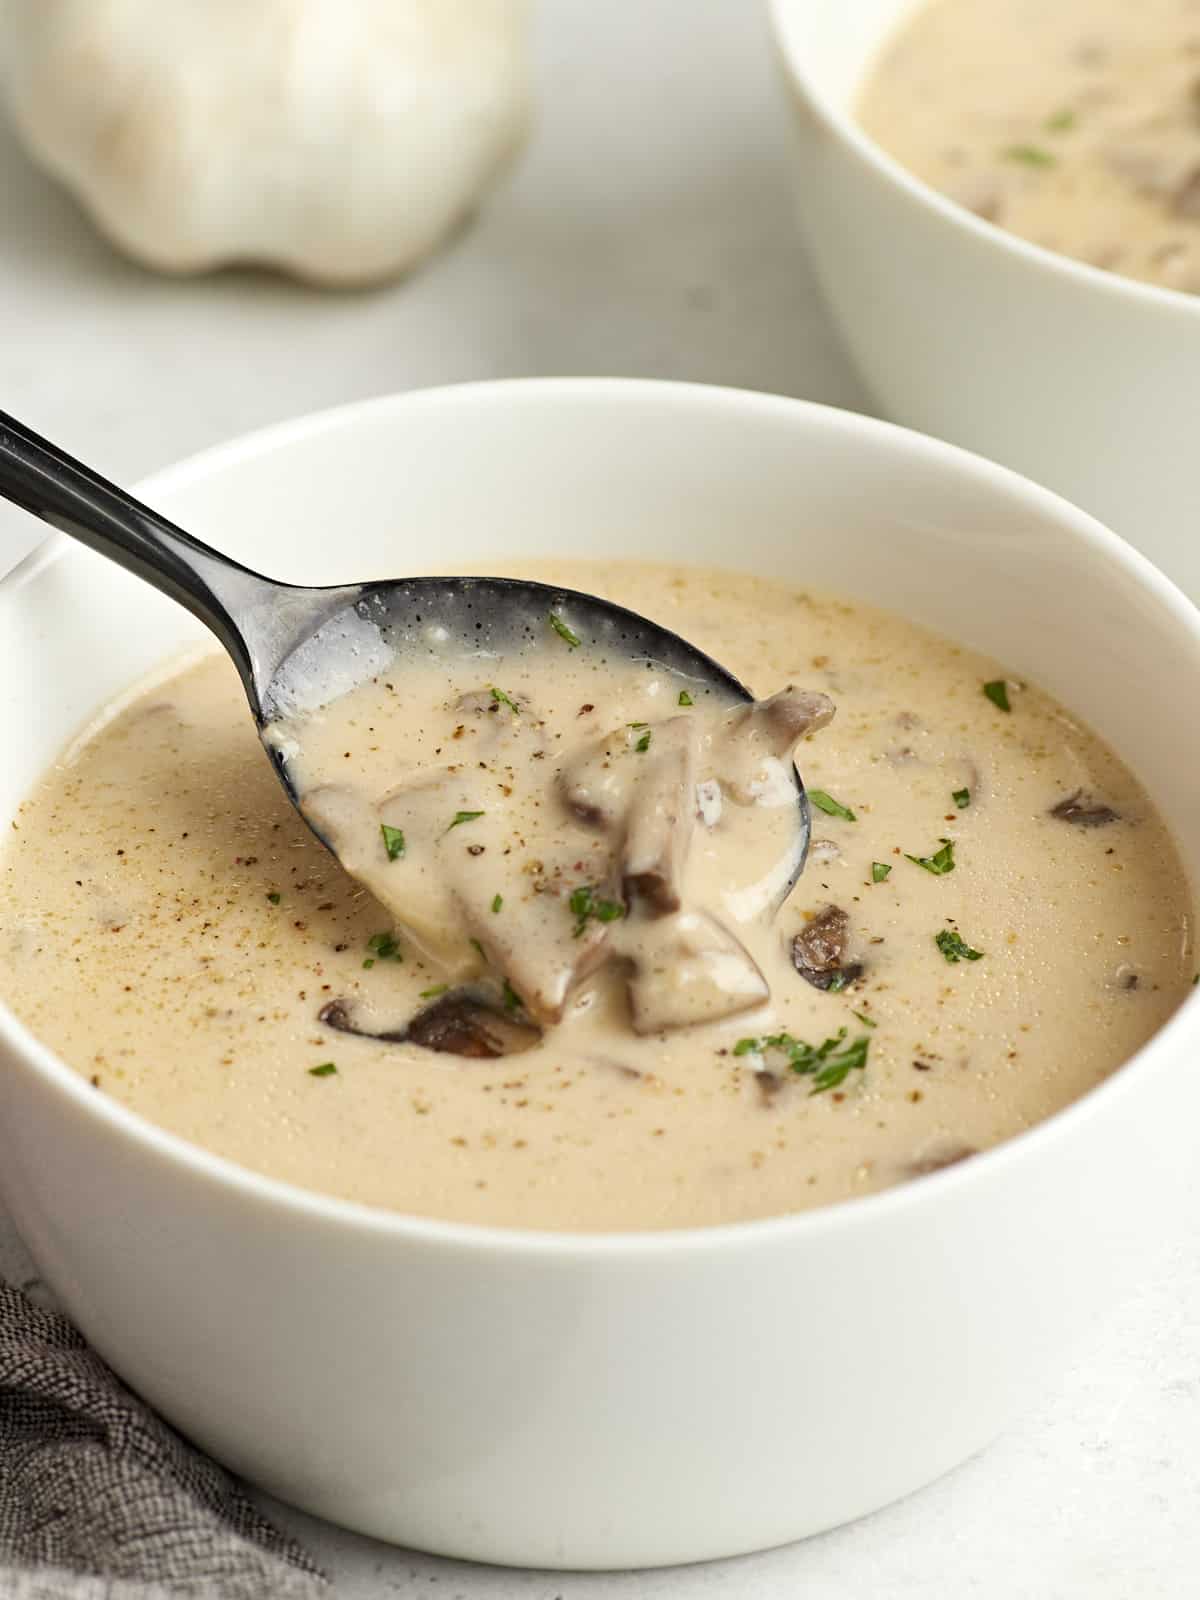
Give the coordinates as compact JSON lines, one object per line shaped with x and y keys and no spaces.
{"x":1084,"y":380}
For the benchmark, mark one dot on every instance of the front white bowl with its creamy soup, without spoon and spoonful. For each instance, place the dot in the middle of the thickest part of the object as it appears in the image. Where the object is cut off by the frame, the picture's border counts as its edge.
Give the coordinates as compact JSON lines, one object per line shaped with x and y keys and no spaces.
{"x":652,"y":1302}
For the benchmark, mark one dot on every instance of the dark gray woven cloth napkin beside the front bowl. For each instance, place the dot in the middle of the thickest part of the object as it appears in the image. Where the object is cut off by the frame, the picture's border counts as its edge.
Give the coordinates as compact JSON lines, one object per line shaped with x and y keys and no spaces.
{"x":100,"y":1500}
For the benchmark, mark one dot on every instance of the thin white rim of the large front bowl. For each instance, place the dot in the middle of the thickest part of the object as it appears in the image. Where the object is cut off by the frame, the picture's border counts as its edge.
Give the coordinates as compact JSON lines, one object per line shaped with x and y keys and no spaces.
{"x":311,"y":1206}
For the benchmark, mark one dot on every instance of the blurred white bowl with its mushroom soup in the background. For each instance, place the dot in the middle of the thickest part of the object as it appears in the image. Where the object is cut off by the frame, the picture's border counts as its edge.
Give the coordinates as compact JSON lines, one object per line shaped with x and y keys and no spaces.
{"x":1002,"y":206}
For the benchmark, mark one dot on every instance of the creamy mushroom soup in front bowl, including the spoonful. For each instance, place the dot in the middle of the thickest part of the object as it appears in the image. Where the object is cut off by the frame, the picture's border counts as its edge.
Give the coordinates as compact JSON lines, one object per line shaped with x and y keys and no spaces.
{"x":596,"y":1018}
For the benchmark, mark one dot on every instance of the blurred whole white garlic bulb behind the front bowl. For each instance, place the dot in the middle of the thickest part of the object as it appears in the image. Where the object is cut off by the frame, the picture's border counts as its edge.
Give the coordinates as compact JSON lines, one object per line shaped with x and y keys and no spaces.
{"x":338,"y":140}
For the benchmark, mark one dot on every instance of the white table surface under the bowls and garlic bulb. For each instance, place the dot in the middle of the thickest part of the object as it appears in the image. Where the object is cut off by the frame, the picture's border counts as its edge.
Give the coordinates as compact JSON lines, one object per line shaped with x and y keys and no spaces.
{"x":649,"y":231}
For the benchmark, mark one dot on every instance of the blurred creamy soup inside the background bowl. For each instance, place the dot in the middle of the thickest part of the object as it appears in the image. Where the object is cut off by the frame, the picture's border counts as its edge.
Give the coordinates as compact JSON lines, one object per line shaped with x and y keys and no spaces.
{"x":1076,"y":126}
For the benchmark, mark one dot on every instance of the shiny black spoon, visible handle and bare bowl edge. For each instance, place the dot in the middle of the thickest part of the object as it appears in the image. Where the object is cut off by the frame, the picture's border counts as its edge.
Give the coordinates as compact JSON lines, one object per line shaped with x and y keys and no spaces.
{"x":297,"y":647}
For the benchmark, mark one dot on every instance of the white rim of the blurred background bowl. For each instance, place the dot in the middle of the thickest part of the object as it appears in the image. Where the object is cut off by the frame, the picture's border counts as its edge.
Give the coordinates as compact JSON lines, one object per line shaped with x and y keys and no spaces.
{"x":1038,"y":258}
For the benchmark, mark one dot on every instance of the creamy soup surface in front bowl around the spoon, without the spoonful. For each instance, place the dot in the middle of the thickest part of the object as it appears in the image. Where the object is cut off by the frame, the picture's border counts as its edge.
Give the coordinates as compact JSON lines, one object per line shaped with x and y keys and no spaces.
{"x":991,"y":921}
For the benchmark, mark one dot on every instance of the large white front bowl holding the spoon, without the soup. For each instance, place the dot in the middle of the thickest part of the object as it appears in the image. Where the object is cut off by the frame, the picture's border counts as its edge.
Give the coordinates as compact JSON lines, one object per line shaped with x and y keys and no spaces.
{"x":610,"y":1401}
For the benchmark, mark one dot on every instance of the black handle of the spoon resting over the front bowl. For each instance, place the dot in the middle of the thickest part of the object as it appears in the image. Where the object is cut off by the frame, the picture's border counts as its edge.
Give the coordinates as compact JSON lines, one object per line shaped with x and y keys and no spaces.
{"x":50,"y":484}
